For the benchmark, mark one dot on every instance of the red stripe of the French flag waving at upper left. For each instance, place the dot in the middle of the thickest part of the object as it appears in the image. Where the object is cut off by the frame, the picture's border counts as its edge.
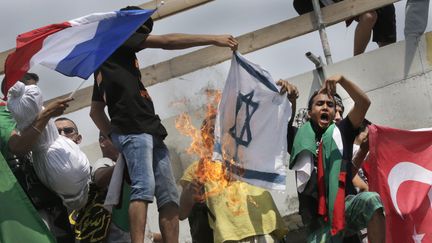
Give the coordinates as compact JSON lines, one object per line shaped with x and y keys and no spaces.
{"x":27,"y":45}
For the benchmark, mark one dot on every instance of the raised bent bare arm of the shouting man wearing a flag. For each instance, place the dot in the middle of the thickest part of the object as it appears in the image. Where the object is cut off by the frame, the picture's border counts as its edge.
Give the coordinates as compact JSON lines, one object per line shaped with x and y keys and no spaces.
{"x":361,"y":100}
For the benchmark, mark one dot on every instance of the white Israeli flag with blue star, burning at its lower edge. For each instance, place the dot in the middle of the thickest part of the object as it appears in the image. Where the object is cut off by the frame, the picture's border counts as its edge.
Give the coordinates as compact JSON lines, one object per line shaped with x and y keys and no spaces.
{"x":251,"y":126}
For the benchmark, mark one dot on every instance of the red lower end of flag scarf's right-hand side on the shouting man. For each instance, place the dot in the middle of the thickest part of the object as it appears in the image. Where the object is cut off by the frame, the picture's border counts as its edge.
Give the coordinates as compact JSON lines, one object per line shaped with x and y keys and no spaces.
{"x":338,"y":221}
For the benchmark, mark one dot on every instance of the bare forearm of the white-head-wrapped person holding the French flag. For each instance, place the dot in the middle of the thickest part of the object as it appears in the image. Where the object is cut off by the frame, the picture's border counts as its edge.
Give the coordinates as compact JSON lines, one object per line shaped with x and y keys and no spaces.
{"x":22,"y":143}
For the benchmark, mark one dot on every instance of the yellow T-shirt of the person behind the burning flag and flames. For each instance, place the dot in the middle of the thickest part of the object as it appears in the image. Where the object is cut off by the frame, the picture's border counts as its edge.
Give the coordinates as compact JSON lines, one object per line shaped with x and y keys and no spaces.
{"x":240,"y":210}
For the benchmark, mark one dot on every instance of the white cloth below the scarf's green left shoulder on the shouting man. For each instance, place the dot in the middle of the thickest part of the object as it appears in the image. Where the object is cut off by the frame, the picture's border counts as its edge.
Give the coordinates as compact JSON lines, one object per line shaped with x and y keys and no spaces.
{"x":303,"y":168}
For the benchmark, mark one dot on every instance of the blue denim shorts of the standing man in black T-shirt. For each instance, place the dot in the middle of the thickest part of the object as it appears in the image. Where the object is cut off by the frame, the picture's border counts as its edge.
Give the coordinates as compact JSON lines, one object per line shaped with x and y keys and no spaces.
{"x":149,"y":167}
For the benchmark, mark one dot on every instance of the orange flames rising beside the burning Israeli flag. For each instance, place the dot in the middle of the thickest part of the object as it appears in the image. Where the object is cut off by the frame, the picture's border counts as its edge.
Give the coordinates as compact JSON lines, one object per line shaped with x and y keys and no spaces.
{"x":216,"y":174}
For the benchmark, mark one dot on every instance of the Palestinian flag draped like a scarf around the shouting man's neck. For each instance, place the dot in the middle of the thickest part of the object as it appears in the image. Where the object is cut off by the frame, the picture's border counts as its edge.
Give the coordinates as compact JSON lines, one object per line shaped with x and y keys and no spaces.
{"x":331,"y":172}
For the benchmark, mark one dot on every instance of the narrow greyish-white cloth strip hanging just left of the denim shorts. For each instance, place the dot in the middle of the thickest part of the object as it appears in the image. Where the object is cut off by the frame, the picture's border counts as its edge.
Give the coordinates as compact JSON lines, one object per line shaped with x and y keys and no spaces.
{"x":114,"y":189}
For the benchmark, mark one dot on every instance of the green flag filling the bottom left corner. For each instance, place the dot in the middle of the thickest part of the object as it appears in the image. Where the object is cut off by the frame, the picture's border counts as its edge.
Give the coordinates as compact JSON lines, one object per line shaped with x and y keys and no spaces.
{"x":19,"y":220}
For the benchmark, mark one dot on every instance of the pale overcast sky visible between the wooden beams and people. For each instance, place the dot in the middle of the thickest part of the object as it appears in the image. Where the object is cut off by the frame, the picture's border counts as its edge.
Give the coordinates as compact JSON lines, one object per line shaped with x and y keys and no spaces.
{"x":234,"y":17}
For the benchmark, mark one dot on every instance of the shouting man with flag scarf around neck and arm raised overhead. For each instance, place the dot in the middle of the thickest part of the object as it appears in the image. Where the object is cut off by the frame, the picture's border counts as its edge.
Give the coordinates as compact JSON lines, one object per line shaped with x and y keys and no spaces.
{"x":321,"y":156}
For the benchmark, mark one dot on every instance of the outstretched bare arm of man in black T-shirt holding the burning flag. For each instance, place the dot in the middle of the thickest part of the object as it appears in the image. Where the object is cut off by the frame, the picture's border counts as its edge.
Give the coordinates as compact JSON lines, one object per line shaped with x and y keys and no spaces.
{"x":183,"y":41}
